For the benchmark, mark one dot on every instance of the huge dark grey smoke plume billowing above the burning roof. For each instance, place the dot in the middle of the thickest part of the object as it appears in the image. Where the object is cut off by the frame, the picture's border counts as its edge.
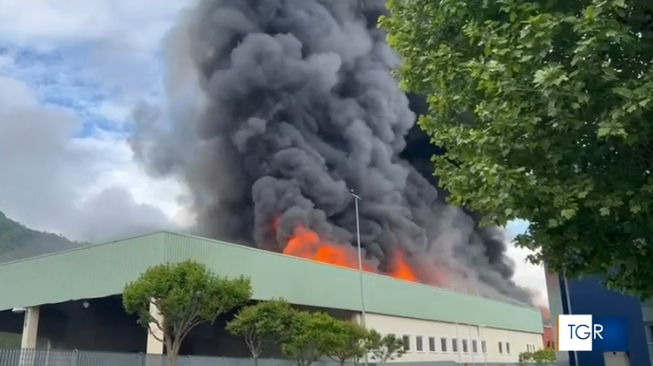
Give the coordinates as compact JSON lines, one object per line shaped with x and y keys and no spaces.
{"x":295,"y":106}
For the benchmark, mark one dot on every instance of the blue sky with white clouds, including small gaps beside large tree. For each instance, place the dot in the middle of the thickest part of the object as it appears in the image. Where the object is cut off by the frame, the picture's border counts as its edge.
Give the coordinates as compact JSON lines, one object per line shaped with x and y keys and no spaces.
{"x":71,"y":72}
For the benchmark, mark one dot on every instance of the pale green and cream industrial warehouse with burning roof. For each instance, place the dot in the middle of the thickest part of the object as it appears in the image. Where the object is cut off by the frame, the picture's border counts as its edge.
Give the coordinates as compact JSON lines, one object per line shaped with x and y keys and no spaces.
{"x":71,"y":300}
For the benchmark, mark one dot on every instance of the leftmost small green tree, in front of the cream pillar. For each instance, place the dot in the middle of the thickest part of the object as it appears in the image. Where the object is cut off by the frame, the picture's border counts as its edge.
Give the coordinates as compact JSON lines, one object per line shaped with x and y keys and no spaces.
{"x":186,"y":295}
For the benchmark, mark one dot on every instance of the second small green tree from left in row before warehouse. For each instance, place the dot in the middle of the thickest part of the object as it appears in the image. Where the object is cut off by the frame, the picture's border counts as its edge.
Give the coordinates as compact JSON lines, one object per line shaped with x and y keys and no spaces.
{"x":263,"y":325}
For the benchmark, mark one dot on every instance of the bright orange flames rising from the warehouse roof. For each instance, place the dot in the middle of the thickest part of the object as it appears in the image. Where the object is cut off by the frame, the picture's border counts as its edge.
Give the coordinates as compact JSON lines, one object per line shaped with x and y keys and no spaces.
{"x":307,"y":244}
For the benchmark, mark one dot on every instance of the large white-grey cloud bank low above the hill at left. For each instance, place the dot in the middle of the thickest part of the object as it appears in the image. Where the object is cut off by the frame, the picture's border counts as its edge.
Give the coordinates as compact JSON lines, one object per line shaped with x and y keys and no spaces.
{"x":85,"y":188}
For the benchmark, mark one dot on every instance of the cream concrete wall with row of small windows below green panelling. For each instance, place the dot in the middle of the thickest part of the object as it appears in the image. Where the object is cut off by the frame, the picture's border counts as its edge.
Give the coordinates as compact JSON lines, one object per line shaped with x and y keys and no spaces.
{"x":415,"y":329}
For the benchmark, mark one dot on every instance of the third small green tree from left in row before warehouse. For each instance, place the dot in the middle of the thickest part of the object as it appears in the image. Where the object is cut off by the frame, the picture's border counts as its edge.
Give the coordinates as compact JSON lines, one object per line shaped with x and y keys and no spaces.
{"x":315,"y":335}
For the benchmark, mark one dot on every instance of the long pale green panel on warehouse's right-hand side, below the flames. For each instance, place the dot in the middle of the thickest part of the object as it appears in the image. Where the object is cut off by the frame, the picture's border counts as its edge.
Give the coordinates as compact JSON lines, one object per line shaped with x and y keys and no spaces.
{"x":309,"y":283}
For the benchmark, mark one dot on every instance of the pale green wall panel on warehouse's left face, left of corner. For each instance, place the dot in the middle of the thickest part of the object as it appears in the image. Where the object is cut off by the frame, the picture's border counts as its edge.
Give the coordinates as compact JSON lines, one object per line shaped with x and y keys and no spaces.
{"x":89,"y":272}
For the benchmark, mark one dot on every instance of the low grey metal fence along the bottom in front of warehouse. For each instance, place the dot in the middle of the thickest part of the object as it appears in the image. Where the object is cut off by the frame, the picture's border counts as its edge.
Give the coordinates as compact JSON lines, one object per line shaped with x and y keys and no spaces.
{"x":51,"y":357}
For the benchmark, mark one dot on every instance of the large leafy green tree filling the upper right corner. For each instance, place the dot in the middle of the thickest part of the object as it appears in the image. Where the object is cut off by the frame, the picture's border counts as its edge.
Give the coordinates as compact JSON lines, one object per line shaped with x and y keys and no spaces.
{"x":544,"y":109}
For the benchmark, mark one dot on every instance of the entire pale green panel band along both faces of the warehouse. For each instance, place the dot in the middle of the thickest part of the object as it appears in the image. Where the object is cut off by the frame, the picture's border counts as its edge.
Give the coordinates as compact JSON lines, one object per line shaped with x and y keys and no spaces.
{"x":103,"y":270}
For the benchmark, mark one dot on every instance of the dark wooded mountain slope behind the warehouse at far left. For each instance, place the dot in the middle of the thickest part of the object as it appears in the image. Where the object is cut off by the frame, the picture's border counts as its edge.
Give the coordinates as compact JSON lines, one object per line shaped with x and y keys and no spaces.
{"x":18,"y":241}
